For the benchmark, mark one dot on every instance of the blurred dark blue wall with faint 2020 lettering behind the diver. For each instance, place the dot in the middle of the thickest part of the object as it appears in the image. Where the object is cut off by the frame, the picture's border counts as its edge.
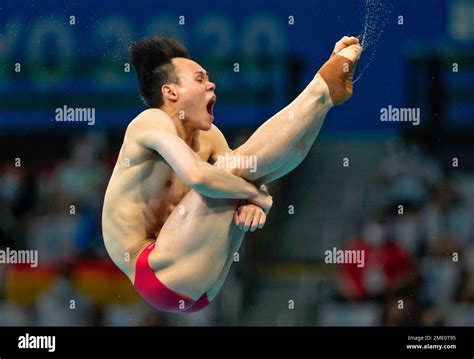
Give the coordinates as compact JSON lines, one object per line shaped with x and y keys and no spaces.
{"x":35,"y":33}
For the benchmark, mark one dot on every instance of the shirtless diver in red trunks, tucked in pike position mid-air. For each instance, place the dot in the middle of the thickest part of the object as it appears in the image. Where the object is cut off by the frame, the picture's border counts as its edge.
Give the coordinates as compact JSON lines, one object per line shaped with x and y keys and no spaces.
{"x":174,"y":214}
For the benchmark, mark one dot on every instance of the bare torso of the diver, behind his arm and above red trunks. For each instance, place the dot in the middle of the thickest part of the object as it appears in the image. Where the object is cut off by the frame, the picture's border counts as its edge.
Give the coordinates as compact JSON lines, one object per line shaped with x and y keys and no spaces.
{"x":142,"y":192}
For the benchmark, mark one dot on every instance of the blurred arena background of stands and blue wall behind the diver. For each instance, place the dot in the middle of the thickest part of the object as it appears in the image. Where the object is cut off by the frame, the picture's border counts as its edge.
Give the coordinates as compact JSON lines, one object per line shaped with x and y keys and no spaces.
{"x":401,"y":193}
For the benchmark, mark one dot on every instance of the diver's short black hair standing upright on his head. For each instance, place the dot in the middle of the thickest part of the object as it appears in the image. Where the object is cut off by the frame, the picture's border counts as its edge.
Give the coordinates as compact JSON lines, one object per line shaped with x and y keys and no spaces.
{"x":151,"y":58}
